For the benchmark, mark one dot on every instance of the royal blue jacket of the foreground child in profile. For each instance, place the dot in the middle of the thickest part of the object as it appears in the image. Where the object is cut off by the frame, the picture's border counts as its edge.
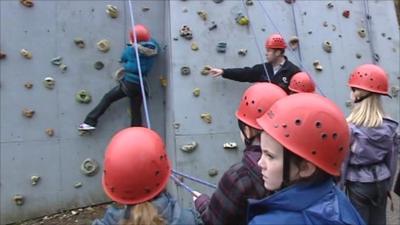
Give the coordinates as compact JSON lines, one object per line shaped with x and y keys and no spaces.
{"x":304,"y":203}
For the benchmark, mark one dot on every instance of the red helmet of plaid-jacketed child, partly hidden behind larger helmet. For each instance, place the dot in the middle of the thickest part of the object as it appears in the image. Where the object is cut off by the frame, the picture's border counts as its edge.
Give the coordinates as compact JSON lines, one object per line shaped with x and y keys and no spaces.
{"x":256,"y":100}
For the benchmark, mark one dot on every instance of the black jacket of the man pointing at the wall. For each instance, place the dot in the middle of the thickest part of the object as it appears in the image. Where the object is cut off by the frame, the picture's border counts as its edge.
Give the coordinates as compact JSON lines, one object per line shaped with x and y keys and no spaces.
{"x":257,"y":74}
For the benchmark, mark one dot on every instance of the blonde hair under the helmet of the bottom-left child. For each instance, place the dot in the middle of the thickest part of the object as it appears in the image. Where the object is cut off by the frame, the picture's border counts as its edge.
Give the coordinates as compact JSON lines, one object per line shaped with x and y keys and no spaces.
{"x":144,"y":214}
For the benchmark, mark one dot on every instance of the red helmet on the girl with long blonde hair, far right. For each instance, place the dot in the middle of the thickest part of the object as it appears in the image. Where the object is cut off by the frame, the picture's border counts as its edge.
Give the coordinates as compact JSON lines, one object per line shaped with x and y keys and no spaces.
{"x":370,"y":78}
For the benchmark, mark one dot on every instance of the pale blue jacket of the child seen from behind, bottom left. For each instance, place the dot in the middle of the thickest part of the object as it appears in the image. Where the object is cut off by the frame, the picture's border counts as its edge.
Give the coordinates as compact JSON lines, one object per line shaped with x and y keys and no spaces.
{"x":166,"y":206}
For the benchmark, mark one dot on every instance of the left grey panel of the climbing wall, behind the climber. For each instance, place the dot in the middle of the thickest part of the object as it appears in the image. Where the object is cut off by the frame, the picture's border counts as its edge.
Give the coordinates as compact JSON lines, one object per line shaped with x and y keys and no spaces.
{"x":47,"y":30}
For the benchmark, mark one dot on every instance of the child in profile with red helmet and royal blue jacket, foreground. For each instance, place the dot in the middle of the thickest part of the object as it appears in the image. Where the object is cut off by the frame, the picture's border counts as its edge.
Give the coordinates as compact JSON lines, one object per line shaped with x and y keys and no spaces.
{"x":304,"y":141}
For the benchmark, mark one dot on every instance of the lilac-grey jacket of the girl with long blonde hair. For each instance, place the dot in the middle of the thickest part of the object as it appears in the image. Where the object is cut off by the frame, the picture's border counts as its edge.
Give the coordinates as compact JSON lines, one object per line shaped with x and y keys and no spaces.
{"x":373,"y":153}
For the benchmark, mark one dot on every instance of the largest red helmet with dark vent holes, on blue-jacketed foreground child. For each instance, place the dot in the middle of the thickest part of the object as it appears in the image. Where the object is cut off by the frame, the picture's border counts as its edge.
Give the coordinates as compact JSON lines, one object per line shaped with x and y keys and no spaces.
{"x":310,"y":126}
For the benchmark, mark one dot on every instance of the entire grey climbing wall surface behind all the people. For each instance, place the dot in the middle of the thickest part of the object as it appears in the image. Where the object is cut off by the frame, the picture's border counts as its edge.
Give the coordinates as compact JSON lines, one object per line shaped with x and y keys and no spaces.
{"x":198,"y":118}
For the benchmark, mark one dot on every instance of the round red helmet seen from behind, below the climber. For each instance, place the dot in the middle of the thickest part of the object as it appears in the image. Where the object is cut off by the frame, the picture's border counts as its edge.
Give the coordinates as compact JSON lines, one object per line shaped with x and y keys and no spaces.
{"x":136,"y":166}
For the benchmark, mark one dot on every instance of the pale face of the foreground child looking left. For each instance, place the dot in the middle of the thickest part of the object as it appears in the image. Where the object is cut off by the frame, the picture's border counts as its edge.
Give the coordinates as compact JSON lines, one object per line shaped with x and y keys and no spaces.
{"x":271,"y":162}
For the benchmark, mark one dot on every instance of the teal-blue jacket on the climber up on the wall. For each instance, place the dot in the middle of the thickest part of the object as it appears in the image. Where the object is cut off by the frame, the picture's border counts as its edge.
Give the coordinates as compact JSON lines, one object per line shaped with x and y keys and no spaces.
{"x":146,"y":62}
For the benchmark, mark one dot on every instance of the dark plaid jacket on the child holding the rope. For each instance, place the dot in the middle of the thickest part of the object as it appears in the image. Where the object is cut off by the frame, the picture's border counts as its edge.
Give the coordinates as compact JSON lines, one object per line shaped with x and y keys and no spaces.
{"x":228,"y":204}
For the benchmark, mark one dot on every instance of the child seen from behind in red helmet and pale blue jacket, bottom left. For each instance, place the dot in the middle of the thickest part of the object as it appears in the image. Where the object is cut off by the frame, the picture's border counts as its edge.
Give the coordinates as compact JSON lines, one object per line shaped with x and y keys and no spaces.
{"x":139,"y":182}
